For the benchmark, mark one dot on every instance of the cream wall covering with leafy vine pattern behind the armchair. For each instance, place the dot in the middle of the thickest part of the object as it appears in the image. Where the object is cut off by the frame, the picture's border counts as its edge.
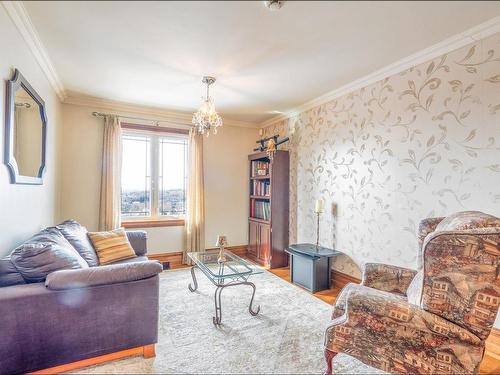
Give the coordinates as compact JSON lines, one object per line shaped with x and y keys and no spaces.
{"x":422,"y":143}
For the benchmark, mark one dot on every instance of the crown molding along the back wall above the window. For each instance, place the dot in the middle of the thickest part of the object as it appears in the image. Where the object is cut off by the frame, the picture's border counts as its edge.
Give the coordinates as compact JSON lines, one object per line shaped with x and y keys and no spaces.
{"x":181,"y":118}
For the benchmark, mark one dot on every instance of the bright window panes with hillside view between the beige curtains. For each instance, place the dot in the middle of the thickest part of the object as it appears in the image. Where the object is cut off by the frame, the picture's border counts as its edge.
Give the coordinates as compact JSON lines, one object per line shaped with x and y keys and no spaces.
{"x":154,"y":176}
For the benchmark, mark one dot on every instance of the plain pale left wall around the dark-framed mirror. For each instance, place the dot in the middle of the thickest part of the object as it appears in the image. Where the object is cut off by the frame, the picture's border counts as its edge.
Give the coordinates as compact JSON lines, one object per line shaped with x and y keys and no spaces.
{"x":26,"y":208}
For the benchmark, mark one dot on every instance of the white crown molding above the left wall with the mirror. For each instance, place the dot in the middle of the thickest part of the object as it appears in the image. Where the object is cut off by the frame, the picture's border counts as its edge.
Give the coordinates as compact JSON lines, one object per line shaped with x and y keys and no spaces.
{"x":19,"y":16}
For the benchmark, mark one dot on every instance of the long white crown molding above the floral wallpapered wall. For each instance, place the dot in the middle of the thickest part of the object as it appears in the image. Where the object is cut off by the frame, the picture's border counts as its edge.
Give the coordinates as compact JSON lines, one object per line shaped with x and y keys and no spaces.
{"x":453,"y":43}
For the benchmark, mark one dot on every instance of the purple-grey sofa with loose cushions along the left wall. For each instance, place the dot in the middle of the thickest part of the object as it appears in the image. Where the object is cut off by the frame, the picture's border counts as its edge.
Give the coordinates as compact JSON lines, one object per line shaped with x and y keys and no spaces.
{"x":77,"y":311}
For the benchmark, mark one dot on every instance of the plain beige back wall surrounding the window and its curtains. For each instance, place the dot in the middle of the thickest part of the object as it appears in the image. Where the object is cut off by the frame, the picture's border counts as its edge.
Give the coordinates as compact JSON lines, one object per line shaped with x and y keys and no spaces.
{"x":226,"y":180}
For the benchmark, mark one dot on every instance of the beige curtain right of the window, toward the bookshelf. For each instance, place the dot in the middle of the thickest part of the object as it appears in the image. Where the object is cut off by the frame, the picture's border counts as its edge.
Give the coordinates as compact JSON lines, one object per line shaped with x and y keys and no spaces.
{"x":195,"y":215}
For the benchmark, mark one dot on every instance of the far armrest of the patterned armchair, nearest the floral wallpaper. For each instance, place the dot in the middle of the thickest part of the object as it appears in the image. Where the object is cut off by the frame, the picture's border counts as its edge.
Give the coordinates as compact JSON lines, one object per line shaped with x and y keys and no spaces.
{"x":387,"y":278}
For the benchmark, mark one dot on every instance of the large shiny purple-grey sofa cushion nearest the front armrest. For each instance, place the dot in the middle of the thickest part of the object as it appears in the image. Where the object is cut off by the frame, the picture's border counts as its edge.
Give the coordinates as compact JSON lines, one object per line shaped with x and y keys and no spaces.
{"x":45,"y":252}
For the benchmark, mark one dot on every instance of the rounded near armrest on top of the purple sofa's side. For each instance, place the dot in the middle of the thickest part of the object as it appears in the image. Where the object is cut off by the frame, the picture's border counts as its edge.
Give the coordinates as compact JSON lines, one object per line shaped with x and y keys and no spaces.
{"x":102,"y":275}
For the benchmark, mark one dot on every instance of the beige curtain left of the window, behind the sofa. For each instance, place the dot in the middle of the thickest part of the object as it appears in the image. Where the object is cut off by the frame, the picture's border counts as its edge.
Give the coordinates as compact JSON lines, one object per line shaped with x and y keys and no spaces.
{"x":109,"y":212}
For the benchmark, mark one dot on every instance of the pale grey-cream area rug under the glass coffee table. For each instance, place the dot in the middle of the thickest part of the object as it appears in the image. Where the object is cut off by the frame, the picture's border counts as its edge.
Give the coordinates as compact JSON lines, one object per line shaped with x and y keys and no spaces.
{"x":285,"y":338}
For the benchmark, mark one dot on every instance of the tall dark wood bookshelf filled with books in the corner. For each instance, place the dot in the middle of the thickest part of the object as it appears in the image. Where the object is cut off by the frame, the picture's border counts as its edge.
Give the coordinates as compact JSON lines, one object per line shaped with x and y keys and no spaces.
{"x":268,"y":220}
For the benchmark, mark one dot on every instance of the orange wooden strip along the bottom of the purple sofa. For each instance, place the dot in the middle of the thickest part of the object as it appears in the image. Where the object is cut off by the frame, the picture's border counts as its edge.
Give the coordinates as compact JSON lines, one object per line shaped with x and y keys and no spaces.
{"x":147,"y":351}
